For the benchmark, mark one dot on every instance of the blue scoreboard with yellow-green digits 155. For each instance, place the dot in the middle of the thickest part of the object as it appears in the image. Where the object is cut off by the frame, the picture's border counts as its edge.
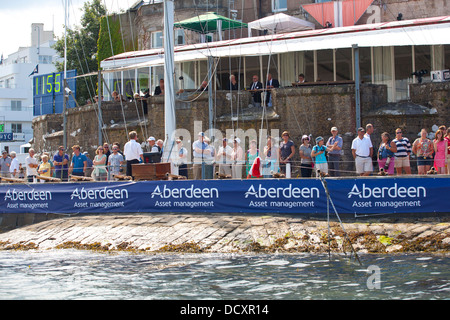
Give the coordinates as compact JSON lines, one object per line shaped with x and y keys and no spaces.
{"x":48,"y":92}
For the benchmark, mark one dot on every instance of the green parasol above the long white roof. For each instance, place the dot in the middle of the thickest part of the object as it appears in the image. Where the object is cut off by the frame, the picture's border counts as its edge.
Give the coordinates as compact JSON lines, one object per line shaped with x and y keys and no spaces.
{"x":208,"y":22}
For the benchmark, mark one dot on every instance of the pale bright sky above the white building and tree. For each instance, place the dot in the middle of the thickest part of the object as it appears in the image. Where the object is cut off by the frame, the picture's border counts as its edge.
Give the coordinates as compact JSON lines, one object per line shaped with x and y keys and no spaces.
{"x":16,"y":17}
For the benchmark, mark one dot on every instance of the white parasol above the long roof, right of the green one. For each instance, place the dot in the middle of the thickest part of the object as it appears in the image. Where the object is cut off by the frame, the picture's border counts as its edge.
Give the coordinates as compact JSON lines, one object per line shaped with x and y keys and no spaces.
{"x":280,"y":23}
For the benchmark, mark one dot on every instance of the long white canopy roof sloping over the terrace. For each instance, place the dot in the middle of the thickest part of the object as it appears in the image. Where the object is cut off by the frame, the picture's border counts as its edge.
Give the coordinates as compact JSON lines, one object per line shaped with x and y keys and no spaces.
{"x":429,"y":31}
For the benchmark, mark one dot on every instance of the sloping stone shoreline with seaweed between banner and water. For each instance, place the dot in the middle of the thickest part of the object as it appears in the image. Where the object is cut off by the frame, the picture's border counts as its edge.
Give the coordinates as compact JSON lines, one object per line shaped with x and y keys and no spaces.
{"x":226,"y":233}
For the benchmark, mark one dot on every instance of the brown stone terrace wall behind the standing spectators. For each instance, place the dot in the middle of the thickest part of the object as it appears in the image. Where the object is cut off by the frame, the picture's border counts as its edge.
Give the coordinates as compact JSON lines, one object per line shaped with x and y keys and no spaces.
{"x":306,"y":110}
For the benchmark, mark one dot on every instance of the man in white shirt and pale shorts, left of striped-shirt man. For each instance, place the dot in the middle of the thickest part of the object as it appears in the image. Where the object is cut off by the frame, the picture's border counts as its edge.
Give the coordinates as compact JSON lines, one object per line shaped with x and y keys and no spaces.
{"x":362,"y":151}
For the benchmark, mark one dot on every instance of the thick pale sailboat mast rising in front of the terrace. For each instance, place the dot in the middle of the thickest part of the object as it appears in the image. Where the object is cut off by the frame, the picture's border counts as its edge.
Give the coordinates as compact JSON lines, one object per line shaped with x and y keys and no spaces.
{"x":169,"y":72}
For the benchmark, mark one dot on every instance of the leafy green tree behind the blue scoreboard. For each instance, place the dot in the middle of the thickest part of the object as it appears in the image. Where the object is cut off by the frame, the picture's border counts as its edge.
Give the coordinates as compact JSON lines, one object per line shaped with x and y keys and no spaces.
{"x":82,"y":49}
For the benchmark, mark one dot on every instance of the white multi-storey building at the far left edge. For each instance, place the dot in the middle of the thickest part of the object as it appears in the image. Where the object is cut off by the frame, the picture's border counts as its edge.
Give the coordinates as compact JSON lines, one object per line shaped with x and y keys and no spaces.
{"x":16,"y":86}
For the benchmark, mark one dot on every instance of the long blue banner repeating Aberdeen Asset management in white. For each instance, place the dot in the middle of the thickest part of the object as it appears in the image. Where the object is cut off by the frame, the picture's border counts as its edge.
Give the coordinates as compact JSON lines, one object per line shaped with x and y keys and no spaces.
{"x":297,"y":196}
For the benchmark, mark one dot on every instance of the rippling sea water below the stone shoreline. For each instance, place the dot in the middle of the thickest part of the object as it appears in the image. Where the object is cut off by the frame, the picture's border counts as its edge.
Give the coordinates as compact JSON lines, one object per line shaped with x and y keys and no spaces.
{"x":74,"y":274}
